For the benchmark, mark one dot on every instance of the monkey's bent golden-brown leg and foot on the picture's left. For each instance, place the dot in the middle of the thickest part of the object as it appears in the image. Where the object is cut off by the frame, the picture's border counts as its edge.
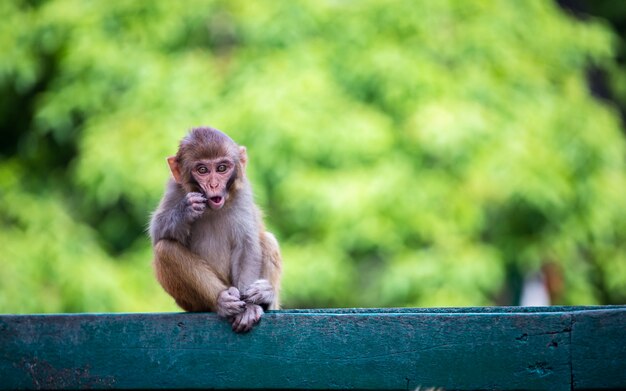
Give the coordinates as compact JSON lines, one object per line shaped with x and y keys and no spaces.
{"x":193,"y":283}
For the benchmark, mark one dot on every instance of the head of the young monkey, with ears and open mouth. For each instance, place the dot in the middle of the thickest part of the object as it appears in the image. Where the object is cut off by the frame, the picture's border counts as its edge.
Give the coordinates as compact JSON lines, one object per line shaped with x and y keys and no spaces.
{"x":211,"y":163}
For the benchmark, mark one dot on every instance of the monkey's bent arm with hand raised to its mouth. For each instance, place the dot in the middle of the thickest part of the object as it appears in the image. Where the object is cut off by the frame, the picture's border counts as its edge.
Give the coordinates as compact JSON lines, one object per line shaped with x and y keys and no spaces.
{"x":177,"y":210}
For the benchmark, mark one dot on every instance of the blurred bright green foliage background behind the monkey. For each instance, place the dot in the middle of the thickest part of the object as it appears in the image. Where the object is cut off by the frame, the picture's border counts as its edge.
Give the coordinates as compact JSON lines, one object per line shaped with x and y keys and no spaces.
{"x":406,"y":153}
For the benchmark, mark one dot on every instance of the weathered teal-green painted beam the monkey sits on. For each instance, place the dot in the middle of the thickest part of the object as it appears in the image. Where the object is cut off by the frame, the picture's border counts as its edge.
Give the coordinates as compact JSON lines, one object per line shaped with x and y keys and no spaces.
{"x":501,"y":348}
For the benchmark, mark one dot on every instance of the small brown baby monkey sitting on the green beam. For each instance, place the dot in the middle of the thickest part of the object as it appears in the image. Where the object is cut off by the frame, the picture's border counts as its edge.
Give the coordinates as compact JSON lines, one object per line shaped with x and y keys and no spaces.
{"x":211,"y":249}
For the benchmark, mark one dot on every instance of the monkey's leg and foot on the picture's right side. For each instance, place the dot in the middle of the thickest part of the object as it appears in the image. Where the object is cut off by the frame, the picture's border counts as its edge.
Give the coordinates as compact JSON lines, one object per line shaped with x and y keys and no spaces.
{"x":265,"y":291}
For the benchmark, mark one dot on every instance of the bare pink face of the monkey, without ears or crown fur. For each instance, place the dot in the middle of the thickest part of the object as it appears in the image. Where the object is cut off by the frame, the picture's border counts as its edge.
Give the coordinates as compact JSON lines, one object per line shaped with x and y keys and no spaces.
{"x":213,"y":176}
